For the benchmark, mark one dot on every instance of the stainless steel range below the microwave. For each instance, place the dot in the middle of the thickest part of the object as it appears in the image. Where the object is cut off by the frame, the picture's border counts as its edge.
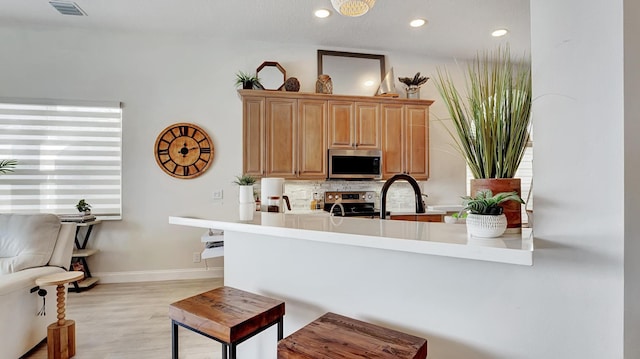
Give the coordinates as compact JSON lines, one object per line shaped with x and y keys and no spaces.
{"x":355,"y":203}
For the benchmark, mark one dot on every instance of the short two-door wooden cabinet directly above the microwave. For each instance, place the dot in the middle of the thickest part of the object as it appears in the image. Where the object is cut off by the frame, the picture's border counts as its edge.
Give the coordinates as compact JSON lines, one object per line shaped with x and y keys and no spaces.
{"x":354,"y":125}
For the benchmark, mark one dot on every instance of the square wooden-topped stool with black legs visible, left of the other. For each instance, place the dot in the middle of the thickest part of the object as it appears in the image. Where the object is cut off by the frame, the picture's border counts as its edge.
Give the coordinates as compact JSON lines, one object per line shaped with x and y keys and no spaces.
{"x":226,"y":315}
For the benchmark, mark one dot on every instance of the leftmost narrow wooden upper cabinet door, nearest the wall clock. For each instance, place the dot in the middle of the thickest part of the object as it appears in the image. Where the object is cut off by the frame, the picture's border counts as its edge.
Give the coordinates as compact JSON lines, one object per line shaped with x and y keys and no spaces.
{"x":253,"y":136}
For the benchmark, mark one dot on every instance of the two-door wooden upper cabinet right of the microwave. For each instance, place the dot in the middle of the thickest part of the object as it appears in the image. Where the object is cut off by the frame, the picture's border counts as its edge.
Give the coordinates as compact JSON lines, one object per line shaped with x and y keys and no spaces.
{"x":405,"y":140}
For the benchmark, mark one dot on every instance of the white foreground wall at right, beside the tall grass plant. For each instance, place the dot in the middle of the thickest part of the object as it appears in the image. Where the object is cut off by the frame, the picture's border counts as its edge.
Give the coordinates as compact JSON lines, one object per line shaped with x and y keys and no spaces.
{"x":579,"y":171}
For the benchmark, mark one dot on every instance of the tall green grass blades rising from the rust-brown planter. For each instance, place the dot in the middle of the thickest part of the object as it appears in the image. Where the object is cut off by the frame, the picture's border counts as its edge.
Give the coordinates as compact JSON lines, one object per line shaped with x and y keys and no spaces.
{"x":492,"y":121}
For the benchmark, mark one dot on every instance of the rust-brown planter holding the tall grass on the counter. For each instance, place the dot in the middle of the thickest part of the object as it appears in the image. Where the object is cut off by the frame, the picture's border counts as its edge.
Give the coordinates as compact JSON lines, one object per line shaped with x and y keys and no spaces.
{"x":511,"y":209}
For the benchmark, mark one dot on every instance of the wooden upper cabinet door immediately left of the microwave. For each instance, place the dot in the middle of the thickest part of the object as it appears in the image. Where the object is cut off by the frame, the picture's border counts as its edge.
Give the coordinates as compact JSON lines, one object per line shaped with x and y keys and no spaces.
{"x":312,"y":139}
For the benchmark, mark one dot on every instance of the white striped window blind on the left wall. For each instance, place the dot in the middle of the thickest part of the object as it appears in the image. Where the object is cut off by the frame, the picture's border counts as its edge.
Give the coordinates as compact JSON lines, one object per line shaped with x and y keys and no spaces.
{"x":65,"y":153}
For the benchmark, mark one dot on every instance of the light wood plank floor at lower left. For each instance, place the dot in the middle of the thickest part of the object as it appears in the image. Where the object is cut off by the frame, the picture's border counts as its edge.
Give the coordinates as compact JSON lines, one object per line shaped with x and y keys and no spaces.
{"x":130,"y":320}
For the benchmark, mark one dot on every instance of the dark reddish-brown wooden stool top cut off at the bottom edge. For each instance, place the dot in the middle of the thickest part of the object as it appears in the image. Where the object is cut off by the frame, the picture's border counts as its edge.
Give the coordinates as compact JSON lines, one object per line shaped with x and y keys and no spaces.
{"x":336,"y":336}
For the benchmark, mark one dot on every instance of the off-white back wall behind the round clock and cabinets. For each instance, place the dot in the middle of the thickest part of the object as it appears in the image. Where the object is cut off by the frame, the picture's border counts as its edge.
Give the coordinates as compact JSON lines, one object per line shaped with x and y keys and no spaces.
{"x":162,"y":80}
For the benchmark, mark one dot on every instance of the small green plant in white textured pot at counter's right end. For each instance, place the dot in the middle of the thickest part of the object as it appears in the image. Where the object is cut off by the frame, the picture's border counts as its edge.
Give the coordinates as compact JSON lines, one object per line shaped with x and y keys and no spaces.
{"x":485,"y":216}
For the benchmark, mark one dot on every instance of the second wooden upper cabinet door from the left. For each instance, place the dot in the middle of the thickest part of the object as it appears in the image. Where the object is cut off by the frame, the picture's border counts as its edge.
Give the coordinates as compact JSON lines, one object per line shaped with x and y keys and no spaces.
{"x":281,"y":137}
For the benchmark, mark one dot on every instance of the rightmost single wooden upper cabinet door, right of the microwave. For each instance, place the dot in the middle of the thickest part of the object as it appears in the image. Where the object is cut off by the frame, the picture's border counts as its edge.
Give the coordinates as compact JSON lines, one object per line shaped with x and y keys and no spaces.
{"x":417,"y":141}
